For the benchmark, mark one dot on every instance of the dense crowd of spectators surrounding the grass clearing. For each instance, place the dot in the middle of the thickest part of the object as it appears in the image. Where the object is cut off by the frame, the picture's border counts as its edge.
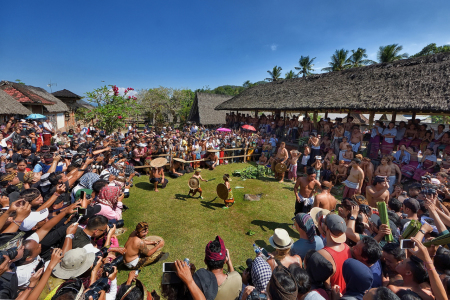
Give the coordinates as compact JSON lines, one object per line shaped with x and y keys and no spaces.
{"x":63,"y":194}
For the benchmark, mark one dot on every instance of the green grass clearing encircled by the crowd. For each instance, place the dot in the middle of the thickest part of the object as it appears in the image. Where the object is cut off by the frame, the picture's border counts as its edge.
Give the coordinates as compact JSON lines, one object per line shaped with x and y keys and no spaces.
{"x":188,"y":224}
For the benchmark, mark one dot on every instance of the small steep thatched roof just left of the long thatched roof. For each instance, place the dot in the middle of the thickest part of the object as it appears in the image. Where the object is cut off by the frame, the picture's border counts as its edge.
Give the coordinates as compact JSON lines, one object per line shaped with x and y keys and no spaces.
{"x":202,"y":110}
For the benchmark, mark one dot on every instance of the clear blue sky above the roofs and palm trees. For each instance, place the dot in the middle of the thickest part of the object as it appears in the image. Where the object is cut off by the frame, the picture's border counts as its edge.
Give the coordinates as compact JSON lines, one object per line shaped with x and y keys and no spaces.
{"x":192,"y":44}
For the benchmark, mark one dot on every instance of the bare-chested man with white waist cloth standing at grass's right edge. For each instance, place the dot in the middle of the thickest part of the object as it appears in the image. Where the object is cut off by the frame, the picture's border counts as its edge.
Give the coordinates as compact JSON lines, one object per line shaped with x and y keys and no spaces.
{"x":305,"y":198}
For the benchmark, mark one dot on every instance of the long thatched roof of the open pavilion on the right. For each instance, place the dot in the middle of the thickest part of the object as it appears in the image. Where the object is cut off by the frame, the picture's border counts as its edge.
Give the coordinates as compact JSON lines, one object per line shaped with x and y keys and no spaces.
{"x":418,"y":85}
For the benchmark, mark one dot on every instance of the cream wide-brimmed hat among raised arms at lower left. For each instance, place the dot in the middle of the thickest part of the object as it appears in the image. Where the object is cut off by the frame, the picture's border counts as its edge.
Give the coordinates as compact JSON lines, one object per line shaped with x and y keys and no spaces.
{"x":74,"y":263}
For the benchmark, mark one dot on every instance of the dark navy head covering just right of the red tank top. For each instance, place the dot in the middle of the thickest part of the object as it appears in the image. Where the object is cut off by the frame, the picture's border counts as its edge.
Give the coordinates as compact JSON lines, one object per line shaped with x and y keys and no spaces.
{"x":358,"y":278}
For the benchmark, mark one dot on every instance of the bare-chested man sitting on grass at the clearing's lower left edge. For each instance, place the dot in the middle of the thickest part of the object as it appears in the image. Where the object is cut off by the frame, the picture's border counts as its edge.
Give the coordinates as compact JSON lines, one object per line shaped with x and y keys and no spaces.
{"x":140,"y":252}
